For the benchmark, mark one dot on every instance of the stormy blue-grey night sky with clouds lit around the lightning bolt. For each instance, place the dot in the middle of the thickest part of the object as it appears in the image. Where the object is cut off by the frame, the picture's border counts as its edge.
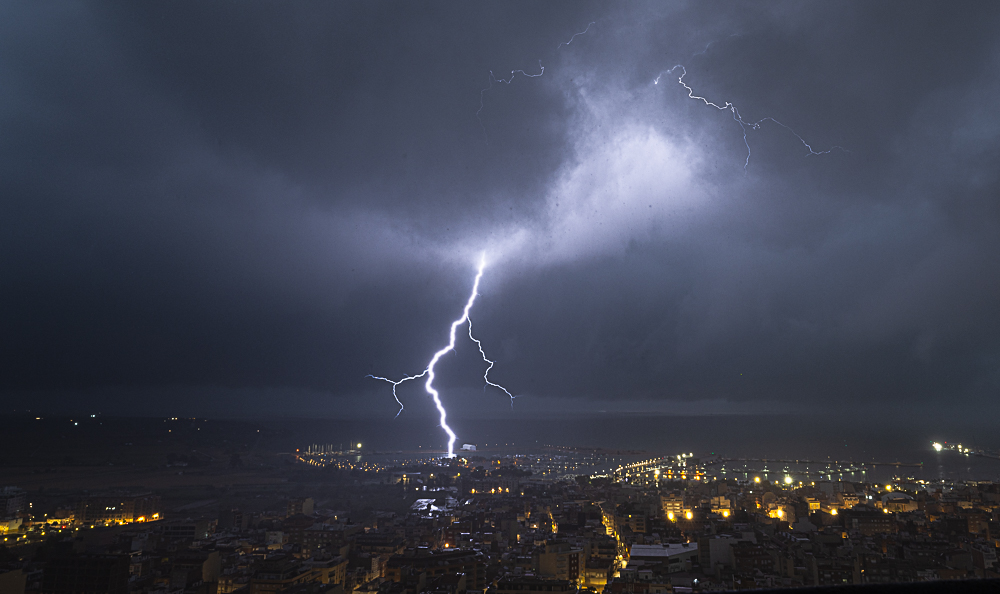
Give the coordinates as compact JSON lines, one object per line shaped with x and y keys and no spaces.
{"x":240,"y":208}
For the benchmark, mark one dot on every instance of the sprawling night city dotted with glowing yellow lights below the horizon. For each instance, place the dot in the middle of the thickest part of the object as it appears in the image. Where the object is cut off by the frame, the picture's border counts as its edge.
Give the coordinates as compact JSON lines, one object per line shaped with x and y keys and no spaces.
{"x":344,"y":518}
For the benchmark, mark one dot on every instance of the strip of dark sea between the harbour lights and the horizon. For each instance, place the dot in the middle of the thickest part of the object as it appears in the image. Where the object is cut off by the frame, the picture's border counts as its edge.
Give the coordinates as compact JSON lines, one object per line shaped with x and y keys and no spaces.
{"x":860,"y":439}
